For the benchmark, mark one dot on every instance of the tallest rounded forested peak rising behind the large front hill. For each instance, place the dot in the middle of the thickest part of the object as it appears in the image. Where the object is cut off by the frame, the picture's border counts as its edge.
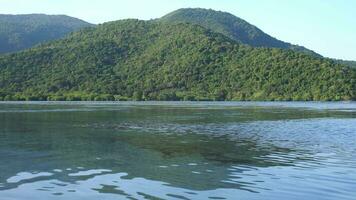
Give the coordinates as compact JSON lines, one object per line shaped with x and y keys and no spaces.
{"x":231,"y":26}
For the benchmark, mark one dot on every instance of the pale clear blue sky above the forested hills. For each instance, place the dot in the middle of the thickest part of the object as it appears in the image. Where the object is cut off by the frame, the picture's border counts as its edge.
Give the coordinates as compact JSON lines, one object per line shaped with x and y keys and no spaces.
{"x":326,"y":26}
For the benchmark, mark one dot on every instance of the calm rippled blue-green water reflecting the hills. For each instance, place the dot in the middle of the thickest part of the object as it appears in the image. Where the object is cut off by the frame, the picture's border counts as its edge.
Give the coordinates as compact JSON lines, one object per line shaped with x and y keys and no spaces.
{"x":177,"y":150}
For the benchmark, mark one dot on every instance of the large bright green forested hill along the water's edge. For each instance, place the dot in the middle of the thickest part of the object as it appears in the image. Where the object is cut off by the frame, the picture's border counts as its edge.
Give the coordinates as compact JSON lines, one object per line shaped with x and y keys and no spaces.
{"x":147,"y":60}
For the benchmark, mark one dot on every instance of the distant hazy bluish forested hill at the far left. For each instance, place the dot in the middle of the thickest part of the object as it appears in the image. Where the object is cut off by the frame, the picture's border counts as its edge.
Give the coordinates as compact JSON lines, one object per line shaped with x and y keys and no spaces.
{"x":18,"y":32}
